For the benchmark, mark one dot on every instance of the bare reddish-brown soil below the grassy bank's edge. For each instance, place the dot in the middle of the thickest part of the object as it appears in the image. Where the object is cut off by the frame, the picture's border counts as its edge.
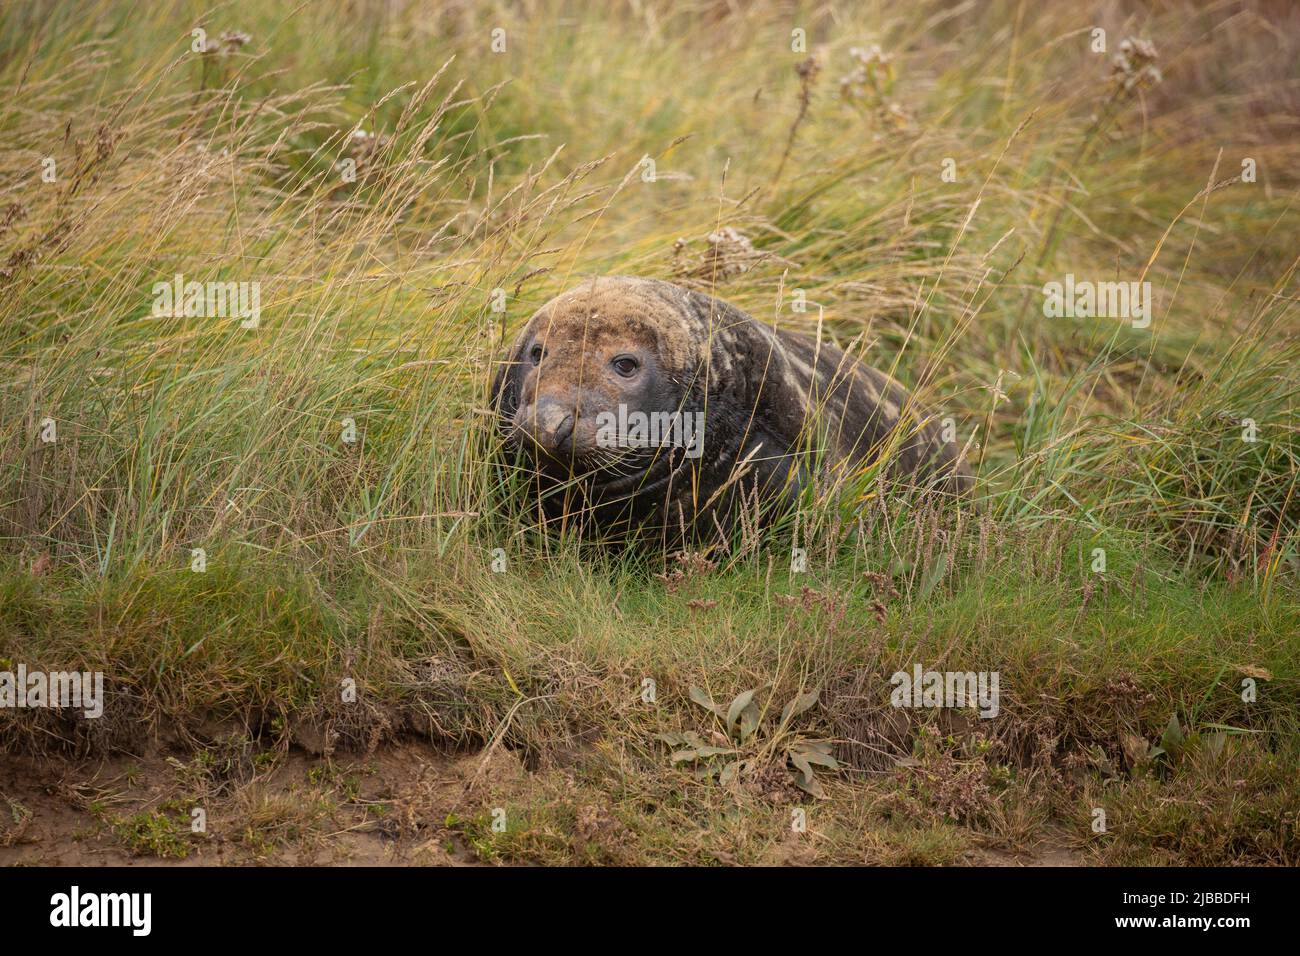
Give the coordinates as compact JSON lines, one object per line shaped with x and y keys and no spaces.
{"x":392,"y":808}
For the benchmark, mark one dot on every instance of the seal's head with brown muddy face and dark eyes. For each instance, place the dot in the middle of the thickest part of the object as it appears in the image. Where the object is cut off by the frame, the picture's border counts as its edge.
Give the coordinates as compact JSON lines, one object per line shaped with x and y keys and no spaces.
{"x":610,"y":349}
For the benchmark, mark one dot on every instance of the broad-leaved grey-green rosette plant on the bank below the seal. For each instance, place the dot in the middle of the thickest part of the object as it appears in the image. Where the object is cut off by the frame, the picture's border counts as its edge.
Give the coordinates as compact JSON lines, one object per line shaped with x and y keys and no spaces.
{"x":740,"y":752}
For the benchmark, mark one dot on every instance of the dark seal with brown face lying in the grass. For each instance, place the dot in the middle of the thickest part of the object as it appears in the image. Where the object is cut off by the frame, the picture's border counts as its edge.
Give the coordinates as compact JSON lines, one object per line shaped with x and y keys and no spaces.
{"x":636,"y":405}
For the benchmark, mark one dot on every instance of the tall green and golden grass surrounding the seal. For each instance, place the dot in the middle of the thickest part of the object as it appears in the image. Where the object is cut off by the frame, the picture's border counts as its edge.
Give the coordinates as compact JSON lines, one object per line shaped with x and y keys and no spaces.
{"x":332,"y":470}
